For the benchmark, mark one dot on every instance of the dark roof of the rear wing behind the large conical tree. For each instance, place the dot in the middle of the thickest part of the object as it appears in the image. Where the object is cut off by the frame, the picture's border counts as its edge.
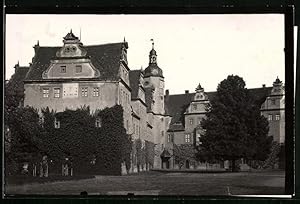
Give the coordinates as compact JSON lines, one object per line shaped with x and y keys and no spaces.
{"x":175,"y":105}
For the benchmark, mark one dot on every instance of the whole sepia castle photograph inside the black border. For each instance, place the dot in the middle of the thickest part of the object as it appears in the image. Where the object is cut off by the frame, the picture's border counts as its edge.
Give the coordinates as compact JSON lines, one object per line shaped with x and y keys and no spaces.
{"x":150,"y":105}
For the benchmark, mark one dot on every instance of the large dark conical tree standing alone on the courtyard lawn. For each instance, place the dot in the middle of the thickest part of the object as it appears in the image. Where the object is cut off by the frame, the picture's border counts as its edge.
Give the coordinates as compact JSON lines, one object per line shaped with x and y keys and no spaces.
{"x":233,"y":127}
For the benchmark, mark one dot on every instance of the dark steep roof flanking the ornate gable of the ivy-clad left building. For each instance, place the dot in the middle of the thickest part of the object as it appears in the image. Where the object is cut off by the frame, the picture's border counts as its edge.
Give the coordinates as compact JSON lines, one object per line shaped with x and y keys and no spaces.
{"x":105,"y":58}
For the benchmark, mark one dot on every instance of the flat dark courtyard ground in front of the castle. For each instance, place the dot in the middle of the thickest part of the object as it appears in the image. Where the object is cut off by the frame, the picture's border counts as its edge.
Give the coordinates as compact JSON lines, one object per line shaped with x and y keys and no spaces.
{"x":163,"y":183}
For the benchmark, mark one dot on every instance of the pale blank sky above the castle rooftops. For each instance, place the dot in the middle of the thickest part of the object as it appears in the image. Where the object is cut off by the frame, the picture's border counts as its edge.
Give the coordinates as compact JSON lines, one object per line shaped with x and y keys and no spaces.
{"x":191,"y":49}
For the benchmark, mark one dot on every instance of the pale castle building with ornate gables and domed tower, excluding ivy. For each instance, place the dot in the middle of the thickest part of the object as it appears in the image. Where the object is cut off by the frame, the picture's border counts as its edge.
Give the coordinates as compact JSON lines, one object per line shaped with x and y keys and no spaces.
{"x":98,"y":76}
